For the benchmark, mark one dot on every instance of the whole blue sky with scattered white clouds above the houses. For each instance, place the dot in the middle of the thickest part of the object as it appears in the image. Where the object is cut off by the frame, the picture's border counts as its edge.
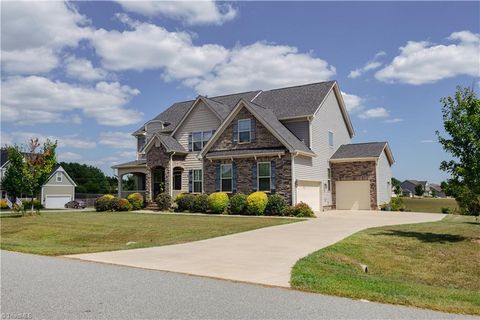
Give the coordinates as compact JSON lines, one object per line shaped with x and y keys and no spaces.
{"x":90,"y":73}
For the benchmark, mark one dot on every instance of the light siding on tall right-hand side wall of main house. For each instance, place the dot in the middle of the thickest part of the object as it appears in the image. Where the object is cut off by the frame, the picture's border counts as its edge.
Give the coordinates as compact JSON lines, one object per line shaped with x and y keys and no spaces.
{"x":328,"y":118}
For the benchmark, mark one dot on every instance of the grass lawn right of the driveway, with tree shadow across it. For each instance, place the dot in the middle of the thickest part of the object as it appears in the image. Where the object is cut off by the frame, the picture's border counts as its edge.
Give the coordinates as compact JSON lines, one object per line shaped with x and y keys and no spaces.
{"x":429,"y":265}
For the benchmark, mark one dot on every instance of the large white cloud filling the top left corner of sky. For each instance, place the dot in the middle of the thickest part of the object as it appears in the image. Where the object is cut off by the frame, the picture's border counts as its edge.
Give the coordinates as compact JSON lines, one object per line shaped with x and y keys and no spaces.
{"x":33,"y":32}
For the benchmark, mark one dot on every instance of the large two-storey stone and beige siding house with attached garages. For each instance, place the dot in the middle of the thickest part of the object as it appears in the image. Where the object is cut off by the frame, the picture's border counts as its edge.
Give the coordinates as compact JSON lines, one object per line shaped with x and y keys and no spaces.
{"x":278,"y":141}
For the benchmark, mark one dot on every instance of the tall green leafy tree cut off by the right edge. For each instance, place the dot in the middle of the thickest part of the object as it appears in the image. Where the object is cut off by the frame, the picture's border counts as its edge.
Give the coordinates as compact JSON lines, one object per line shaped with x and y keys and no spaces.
{"x":461,"y":120}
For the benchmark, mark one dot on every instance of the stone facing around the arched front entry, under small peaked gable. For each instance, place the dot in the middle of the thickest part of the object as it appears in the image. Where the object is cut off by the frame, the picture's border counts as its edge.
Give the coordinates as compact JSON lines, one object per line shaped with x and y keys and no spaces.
{"x":157,"y":157}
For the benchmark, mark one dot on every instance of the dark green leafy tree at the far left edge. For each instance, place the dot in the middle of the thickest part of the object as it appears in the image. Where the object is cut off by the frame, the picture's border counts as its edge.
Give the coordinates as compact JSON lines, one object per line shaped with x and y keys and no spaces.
{"x":13,"y":180}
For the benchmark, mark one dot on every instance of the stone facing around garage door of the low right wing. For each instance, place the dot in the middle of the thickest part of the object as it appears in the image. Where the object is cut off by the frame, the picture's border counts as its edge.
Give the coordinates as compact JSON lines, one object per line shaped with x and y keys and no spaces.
{"x":358,"y":170}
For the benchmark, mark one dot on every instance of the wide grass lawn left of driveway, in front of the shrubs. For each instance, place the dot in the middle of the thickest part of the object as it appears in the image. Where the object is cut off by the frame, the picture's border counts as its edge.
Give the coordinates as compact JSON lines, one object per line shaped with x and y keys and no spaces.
{"x":69,"y":233}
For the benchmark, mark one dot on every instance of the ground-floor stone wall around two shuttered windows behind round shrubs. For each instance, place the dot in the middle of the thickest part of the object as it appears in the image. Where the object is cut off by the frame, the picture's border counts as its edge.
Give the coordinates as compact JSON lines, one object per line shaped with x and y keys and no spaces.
{"x":283,"y":175}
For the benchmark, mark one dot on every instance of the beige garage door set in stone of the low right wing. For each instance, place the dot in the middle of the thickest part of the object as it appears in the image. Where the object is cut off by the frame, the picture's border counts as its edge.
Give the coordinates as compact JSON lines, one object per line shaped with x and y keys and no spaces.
{"x":353,"y":195}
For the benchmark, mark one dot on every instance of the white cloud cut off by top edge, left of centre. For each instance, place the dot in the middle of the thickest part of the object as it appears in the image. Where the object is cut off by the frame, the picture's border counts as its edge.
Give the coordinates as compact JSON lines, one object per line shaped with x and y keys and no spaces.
{"x":190,"y":12}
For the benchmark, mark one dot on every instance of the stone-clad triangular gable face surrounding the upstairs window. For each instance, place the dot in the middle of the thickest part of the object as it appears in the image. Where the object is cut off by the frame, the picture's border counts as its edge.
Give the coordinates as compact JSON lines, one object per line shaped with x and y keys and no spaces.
{"x":264,"y":138}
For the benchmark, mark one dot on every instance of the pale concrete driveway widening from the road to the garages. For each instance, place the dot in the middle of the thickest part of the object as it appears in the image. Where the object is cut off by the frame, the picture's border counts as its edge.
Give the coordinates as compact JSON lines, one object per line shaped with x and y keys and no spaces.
{"x":264,"y":256}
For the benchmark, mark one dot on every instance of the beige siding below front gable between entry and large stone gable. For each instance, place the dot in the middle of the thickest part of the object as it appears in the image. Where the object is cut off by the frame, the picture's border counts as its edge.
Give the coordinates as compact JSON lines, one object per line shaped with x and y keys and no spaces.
{"x":201,"y":118}
